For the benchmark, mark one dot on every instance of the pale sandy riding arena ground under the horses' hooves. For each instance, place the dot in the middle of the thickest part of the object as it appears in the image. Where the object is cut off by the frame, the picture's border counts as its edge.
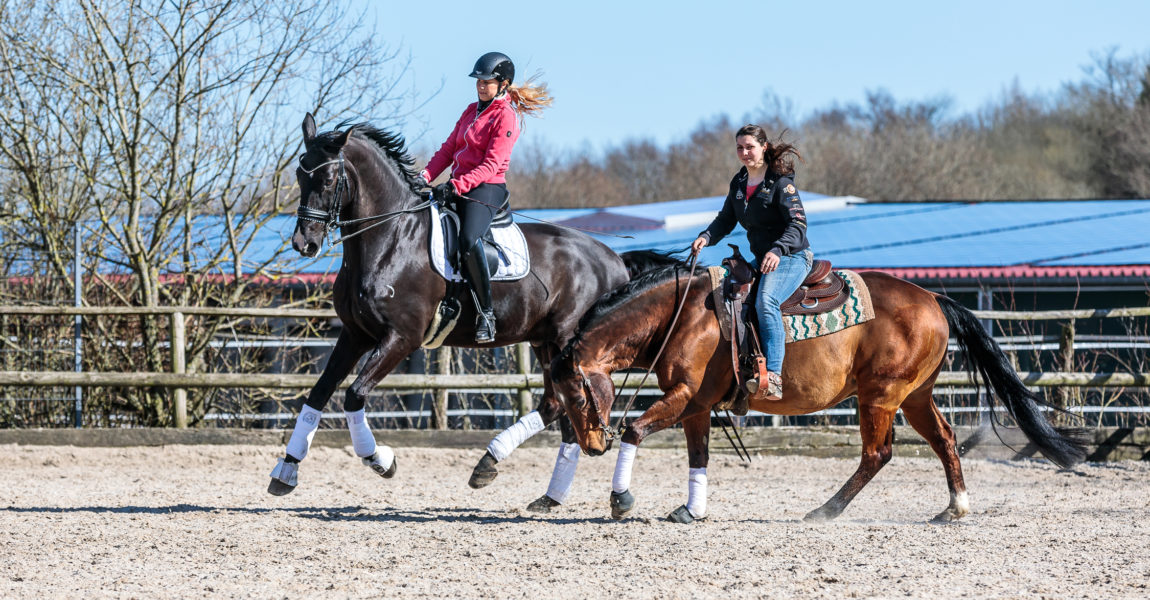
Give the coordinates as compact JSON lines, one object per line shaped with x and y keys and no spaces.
{"x":196,"y":522}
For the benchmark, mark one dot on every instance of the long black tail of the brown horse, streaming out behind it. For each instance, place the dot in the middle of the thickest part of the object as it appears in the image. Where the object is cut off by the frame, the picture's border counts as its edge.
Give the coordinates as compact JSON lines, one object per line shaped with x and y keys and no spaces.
{"x":1063,"y":447}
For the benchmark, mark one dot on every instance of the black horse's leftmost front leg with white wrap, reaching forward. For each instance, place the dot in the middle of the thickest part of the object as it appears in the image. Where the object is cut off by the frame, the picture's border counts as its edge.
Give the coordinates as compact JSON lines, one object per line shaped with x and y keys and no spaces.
{"x":343,"y":359}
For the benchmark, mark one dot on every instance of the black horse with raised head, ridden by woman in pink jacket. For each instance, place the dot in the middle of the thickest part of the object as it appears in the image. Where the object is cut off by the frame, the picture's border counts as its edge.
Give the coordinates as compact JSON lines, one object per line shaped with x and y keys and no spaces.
{"x":387,"y":294}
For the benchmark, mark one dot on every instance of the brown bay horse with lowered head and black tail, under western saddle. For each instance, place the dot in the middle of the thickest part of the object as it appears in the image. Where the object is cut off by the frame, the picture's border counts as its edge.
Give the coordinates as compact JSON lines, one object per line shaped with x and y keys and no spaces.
{"x":890,"y":363}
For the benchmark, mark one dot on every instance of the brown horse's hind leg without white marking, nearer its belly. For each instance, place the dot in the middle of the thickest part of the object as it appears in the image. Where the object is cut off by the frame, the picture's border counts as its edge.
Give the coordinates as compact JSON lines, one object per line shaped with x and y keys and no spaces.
{"x":877,"y":426}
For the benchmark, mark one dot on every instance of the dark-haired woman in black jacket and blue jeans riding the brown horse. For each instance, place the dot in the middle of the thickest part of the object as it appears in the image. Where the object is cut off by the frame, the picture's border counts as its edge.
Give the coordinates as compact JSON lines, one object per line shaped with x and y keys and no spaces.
{"x":764,"y":201}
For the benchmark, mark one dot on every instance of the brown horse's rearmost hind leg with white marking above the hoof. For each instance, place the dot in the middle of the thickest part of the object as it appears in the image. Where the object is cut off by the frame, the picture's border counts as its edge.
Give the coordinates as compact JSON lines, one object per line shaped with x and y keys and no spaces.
{"x":924,"y":417}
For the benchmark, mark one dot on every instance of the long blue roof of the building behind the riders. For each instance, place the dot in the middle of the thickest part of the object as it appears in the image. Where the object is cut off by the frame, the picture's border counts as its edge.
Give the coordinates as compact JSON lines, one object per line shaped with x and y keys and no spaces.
{"x":1090,"y":233}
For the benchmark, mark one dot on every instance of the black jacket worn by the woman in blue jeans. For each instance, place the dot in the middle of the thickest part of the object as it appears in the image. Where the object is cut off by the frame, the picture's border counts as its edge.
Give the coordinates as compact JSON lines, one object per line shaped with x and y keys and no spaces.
{"x":773,"y":217}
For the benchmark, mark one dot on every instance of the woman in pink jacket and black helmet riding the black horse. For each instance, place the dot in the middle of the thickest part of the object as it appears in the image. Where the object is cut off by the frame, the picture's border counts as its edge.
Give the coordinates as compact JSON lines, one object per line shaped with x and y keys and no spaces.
{"x":479,"y":152}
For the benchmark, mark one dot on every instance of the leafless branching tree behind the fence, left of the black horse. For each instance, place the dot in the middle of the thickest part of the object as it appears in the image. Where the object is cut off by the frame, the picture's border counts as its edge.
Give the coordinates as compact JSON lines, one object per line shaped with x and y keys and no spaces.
{"x":168,"y":130}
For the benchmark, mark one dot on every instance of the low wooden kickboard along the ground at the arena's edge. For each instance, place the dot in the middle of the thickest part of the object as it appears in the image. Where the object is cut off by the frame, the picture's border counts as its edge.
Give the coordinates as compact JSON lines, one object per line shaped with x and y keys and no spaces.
{"x":1107,"y":444}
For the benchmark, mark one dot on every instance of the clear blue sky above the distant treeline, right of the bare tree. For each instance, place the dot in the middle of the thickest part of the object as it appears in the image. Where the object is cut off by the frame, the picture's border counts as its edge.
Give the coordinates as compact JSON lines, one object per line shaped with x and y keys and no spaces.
{"x":655,"y":71}
